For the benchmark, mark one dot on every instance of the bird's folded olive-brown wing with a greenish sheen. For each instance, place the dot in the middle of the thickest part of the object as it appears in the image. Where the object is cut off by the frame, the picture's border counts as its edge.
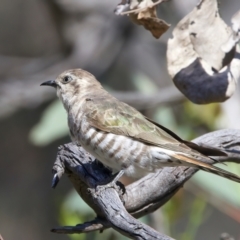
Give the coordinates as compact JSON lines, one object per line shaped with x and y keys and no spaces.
{"x":110,"y":115}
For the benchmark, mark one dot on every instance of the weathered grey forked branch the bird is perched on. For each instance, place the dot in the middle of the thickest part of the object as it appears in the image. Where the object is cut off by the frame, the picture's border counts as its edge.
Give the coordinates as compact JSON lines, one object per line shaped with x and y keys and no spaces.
{"x":140,"y":198}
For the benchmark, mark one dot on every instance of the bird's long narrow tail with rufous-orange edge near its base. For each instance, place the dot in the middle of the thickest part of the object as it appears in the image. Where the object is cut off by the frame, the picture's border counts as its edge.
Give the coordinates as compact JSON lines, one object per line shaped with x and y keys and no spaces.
{"x":186,"y":160}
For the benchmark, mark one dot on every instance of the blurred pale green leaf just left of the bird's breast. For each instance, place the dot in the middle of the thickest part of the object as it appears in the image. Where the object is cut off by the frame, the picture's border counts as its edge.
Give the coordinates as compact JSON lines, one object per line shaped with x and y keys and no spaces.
{"x":52,"y":126}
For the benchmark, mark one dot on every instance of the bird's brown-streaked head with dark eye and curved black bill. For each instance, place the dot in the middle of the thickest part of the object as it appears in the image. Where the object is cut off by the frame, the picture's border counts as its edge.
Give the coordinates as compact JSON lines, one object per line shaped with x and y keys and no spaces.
{"x":72,"y":84}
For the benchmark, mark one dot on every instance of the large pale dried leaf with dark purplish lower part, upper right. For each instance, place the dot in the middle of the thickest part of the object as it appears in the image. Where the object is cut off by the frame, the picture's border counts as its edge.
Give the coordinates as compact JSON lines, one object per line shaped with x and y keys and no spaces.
{"x":203,"y":58}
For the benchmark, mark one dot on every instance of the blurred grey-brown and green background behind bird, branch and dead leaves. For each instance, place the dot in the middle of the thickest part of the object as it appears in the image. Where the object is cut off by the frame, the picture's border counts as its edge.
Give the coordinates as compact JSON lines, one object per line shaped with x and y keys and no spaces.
{"x":41,"y":39}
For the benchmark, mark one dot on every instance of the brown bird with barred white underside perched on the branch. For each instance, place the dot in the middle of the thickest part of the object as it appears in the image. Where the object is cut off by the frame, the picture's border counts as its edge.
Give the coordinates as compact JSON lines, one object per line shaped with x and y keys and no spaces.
{"x":122,"y":138}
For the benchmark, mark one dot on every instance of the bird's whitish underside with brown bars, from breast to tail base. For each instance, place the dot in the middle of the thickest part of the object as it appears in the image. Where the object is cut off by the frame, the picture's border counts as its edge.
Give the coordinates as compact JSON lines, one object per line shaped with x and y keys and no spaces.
{"x":120,"y":152}
